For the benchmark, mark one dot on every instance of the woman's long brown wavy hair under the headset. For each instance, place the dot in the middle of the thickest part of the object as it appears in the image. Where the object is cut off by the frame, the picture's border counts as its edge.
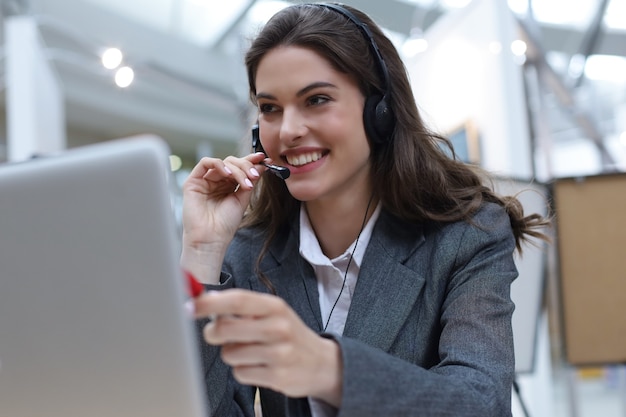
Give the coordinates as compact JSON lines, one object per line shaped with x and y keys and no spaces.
{"x":411,"y":176}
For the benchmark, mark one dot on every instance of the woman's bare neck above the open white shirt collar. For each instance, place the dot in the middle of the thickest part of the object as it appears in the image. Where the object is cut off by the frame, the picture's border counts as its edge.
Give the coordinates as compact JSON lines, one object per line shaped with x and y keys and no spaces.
{"x":338,"y":222}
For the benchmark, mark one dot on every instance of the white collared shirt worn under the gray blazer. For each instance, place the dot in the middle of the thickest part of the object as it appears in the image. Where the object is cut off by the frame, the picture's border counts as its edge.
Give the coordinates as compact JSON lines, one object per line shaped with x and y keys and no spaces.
{"x":330,"y":274}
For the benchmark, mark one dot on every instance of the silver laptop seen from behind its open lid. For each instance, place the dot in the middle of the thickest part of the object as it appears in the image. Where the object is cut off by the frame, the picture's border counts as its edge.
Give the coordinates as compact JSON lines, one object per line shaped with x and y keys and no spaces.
{"x":92,"y":318}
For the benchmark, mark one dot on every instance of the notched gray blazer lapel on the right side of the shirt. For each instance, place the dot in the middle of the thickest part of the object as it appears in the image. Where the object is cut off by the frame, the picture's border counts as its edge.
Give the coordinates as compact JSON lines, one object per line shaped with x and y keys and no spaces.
{"x":387,"y":290}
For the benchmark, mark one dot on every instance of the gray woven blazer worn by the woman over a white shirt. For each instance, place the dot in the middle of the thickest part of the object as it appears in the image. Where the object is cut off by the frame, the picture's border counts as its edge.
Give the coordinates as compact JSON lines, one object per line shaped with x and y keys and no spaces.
{"x":429,"y":328}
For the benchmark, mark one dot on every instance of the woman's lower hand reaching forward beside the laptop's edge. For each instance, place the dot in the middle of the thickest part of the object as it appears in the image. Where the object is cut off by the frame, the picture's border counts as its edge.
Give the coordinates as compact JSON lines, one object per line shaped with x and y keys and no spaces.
{"x":268,"y":345}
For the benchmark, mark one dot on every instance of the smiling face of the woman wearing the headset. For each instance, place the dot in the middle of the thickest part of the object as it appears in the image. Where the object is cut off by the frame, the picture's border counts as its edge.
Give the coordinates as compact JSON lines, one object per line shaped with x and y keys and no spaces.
{"x":311,"y":121}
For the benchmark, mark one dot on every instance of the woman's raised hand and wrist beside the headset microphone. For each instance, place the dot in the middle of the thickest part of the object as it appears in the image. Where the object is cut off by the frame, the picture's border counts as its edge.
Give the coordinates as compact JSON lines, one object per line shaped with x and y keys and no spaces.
{"x":215,"y":197}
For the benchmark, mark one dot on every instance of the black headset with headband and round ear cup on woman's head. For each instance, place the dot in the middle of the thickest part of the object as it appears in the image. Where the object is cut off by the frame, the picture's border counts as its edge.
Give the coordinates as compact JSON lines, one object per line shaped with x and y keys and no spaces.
{"x":378,"y":117}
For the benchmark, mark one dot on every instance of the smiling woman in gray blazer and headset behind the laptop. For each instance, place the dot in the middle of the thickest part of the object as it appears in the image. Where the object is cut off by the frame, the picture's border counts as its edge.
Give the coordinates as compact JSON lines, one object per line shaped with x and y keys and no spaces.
{"x":375,"y":280}
